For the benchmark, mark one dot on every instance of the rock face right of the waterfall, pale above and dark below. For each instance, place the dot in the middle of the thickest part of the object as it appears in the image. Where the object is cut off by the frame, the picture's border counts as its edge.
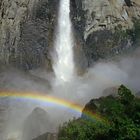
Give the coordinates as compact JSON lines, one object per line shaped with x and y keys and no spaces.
{"x":104,"y":26}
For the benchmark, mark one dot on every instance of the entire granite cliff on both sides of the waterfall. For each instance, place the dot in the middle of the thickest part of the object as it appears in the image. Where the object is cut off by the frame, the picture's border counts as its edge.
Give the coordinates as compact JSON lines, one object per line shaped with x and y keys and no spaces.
{"x":102,"y":29}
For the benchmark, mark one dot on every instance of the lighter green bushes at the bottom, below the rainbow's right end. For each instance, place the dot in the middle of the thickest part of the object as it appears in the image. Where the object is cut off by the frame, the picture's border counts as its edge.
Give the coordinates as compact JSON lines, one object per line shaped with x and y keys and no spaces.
{"x":82,"y":129}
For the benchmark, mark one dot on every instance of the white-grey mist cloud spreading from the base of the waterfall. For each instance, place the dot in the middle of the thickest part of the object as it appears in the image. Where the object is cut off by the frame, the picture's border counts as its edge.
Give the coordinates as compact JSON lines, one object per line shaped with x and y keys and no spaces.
{"x":103,"y":75}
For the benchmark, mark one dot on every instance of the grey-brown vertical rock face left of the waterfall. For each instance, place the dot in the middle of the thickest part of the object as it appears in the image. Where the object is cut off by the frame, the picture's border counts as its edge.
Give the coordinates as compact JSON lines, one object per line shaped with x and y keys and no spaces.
{"x":26,"y":32}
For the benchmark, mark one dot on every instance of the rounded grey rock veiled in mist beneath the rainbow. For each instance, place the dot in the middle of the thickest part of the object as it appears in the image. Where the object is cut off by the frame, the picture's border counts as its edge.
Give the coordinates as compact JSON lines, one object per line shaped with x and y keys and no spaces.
{"x":36,"y":124}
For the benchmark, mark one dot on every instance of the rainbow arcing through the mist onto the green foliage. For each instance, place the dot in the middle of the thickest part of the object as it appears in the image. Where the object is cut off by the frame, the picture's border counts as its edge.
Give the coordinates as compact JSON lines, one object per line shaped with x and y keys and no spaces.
{"x":45,"y":99}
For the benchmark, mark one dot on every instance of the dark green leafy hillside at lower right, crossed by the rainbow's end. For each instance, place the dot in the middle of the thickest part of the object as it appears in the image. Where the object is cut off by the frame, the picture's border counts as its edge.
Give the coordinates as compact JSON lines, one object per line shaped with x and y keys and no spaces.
{"x":122,"y":113}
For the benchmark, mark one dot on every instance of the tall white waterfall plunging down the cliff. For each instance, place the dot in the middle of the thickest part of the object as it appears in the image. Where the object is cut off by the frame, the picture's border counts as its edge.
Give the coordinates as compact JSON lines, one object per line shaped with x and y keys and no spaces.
{"x":63,"y":63}
